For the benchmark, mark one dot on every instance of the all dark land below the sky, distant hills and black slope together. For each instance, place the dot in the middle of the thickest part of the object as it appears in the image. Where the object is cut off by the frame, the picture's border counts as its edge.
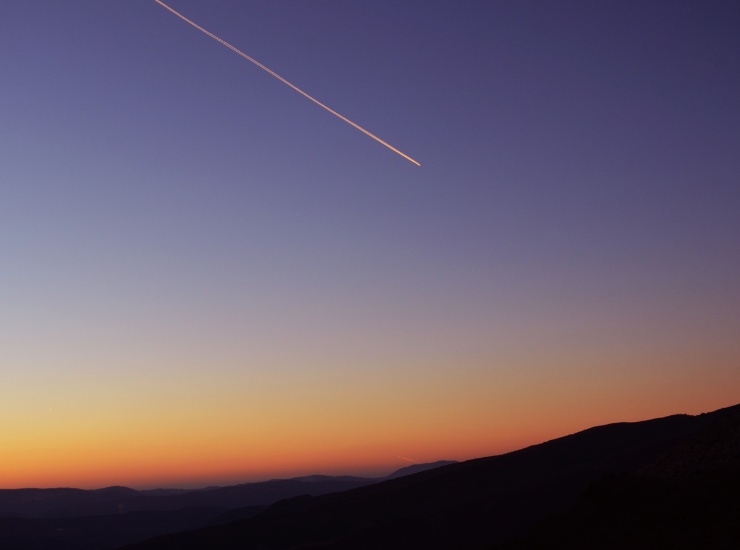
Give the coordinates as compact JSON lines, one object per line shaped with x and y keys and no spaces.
{"x":671,"y":482}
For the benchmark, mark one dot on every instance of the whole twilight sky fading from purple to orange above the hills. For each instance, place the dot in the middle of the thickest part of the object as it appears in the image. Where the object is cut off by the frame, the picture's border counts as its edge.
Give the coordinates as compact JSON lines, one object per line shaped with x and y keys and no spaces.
{"x":207,"y":279}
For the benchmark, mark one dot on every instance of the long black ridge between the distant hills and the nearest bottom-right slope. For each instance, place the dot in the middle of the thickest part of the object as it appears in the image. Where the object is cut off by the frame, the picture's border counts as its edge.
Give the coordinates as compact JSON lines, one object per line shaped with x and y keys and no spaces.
{"x":473,"y":504}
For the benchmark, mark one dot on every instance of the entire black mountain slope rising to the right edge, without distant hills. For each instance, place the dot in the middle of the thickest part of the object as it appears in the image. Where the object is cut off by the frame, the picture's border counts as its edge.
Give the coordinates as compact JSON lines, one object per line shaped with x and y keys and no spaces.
{"x":670,"y":482}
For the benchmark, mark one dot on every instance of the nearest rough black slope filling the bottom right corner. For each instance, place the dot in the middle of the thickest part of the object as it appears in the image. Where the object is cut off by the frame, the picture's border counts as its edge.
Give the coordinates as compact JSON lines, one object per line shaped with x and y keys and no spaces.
{"x":689,"y":498}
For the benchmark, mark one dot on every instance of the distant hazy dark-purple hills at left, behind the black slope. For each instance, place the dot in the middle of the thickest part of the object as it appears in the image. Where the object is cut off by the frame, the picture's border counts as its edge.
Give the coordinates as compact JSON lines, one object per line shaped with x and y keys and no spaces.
{"x":76,"y":519}
